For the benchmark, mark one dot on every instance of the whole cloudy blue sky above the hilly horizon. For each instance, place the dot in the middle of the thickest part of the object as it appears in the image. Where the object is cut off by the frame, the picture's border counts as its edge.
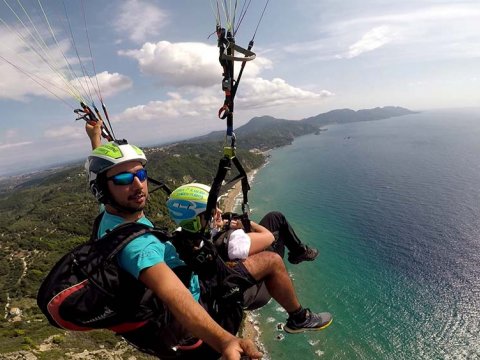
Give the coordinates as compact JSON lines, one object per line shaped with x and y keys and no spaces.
{"x":160,"y":78}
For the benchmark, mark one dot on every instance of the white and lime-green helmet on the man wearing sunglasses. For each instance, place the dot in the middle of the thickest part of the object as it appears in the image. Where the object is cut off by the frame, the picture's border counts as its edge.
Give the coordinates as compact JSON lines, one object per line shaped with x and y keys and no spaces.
{"x":104,"y":158}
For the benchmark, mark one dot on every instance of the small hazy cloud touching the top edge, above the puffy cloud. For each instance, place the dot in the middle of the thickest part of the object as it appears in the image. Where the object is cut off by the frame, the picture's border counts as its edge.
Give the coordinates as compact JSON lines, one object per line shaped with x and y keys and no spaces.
{"x":140,"y":20}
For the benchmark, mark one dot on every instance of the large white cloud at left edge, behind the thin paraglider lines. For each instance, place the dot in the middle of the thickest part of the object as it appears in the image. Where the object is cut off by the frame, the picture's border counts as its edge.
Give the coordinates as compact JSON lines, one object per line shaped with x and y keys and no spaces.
{"x":27,"y":71}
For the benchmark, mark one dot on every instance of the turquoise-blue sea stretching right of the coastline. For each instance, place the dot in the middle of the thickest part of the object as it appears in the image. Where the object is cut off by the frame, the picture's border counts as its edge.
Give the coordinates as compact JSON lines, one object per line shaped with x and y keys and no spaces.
{"x":394,"y":208}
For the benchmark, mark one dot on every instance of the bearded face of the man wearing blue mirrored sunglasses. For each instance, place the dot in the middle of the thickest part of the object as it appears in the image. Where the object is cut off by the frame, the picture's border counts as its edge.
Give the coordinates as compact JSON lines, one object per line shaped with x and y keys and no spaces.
{"x":132,"y":197}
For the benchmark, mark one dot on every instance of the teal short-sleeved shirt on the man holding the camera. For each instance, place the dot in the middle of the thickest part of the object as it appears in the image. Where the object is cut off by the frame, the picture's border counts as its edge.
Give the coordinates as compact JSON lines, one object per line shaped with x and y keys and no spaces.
{"x":145,"y":251}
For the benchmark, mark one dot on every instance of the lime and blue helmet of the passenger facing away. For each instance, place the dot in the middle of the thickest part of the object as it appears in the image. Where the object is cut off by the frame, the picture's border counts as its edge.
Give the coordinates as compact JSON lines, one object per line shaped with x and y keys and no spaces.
{"x":186,"y":203}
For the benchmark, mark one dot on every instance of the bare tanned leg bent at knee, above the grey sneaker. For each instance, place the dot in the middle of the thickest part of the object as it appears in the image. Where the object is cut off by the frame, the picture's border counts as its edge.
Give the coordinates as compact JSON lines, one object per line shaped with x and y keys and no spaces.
{"x":269,"y":267}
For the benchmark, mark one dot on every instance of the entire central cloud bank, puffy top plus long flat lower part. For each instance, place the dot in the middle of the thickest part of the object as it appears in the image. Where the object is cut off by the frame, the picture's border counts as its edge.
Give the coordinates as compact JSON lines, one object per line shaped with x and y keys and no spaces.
{"x":195,"y":70}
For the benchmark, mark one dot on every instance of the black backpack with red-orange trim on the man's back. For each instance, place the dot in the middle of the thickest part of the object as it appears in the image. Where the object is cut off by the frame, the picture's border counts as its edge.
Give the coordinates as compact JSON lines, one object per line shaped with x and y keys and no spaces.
{"x":86,"y":289}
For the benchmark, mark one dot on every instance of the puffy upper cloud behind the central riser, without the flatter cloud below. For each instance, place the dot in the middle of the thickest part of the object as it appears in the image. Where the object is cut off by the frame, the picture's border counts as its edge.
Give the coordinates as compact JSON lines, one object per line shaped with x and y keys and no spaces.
{"x":187,"y":63}
